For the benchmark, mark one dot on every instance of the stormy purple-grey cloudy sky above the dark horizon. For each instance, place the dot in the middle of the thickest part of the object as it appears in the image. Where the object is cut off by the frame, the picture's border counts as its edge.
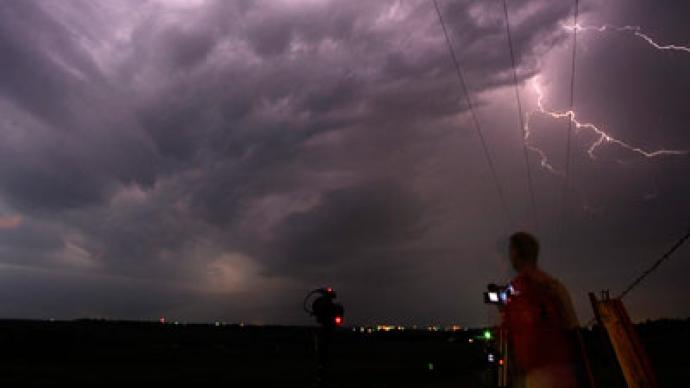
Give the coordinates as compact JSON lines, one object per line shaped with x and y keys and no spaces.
{"x":215,"y":160}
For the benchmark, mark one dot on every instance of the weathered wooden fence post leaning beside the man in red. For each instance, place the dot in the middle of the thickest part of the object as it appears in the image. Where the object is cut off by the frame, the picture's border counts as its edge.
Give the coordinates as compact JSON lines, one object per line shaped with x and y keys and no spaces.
{"x":633,"y":360}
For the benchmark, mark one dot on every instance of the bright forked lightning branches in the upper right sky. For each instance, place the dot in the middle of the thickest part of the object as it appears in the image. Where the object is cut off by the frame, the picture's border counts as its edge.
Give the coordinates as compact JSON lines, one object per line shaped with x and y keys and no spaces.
{"x":602,"y":137}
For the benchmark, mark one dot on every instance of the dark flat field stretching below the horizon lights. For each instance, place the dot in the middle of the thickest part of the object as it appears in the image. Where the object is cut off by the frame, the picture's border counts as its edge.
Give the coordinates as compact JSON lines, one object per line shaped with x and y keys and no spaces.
{"x":97,"y":353}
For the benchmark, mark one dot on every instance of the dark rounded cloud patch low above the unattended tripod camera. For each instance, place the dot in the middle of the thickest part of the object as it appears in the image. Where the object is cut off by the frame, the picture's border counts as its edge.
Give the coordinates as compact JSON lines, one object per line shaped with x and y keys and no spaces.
{"x":371,"y":223}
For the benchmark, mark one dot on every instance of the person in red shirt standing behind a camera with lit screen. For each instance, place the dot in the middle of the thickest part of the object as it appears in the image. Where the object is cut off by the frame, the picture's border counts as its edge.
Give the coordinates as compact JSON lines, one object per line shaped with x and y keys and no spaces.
{"x":540,"y":321}
